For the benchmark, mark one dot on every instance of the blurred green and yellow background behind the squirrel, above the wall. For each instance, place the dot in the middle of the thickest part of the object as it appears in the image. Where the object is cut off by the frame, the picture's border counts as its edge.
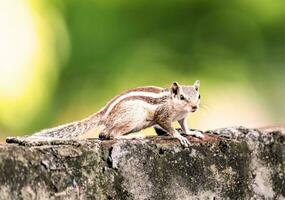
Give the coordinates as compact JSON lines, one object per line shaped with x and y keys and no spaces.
{"x":62,"y":60}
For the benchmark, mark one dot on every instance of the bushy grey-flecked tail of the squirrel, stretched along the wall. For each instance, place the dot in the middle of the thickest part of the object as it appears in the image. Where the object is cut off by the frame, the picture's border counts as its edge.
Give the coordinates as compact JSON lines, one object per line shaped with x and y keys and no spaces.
{"x":70,"y":130}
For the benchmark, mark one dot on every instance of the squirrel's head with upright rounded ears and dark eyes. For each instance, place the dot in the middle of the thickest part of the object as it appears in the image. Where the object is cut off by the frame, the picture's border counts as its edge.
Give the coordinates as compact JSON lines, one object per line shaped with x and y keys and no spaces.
{"x":186,"y":98}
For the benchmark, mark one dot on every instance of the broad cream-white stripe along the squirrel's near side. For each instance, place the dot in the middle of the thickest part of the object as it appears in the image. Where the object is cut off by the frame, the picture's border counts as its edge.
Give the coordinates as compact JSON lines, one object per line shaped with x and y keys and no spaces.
{"x":135,"y":93}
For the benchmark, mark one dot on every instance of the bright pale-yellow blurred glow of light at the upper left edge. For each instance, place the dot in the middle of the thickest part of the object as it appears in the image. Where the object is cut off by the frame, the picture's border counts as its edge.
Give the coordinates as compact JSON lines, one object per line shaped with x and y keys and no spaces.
{"x":28,"y":62}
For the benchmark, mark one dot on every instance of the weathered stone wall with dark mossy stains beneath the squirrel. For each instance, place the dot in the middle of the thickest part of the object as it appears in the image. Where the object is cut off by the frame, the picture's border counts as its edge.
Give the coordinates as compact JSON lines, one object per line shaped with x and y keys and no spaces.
{"x":232,"y":163}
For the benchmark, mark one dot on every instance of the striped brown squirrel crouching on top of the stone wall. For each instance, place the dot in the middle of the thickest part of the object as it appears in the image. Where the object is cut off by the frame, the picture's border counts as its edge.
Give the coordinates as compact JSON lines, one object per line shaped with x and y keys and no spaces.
{"x":137,"y":109}
